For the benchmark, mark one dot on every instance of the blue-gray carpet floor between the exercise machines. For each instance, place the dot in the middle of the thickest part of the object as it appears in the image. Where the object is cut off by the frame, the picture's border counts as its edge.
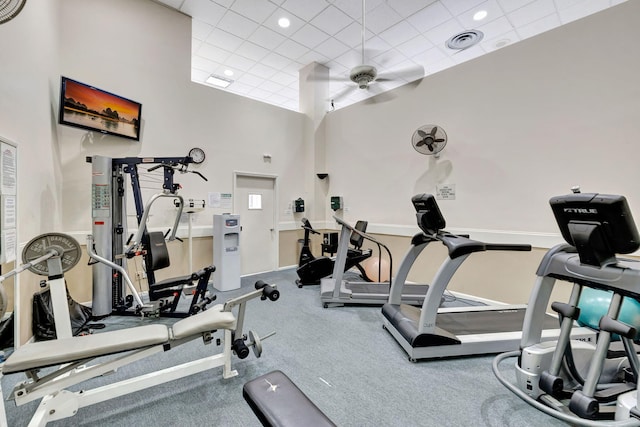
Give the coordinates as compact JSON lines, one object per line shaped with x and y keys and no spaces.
{"x":341,"y":357}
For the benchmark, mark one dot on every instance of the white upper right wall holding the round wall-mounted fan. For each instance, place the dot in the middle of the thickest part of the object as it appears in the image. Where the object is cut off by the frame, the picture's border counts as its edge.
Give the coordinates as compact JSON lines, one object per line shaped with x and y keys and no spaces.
{"x":524,"y":123}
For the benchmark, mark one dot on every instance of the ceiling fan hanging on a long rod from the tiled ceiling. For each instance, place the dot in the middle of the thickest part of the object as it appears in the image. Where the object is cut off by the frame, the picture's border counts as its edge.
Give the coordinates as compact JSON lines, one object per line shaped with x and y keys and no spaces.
{"x":365,"y":75}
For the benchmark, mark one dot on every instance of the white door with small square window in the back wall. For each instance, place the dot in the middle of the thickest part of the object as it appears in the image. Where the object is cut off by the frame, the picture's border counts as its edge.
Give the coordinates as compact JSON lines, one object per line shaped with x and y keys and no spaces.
{"x":255,"y":202}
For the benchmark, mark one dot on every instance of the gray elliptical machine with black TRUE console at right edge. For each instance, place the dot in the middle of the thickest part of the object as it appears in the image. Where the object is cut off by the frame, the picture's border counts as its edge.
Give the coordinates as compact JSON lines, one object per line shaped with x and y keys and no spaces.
{"x":551,"y":374}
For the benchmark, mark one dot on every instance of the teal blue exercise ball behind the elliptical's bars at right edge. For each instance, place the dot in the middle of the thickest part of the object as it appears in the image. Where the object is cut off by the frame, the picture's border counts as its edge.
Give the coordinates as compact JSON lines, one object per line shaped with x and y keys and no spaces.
{"x":594,"y":303}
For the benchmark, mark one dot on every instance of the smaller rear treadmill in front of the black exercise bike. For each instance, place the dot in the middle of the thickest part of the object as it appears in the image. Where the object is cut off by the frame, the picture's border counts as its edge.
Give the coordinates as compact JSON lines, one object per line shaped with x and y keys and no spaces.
{"x":336,"y":291}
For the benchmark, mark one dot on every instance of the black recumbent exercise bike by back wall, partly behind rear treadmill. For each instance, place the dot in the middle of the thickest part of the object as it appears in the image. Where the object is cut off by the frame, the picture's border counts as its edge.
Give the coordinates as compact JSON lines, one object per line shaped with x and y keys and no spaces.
{"x":311,"y":269}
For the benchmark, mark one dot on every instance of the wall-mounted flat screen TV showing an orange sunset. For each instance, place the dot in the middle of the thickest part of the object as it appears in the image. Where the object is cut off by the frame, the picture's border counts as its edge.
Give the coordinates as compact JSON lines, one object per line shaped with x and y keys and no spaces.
{"x":87,"y":107}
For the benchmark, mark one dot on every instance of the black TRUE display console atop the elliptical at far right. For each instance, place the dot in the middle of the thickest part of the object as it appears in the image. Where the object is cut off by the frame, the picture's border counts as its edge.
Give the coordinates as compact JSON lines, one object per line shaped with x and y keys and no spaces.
{"x":597,"y":225}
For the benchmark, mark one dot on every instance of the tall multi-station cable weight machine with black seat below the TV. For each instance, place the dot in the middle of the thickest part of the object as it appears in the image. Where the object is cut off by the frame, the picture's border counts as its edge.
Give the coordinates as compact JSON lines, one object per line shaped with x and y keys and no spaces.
{"x":110,"y":241}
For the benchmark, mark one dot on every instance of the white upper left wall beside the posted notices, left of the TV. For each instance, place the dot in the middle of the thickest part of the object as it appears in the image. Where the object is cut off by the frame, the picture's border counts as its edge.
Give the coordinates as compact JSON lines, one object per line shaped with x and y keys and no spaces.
{"x":28,"y":64}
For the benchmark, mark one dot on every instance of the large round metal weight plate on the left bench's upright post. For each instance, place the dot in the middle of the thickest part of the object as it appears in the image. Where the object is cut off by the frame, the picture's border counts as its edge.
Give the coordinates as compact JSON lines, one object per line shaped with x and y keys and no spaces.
{"x":64,"y":246}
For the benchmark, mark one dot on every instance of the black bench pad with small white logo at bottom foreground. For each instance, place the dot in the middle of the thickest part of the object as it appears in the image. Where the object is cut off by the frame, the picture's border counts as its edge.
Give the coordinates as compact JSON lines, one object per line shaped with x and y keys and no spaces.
{"x":277,"y":401}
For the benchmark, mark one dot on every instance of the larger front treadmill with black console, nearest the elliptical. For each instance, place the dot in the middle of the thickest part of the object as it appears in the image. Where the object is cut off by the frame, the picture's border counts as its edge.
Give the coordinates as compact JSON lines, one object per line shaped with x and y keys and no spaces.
{"x":432,"y":332}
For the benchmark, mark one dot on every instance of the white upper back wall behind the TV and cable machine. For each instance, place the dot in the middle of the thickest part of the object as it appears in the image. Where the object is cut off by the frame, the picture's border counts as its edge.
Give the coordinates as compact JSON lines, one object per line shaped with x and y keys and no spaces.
{"x":142,"y":51}
